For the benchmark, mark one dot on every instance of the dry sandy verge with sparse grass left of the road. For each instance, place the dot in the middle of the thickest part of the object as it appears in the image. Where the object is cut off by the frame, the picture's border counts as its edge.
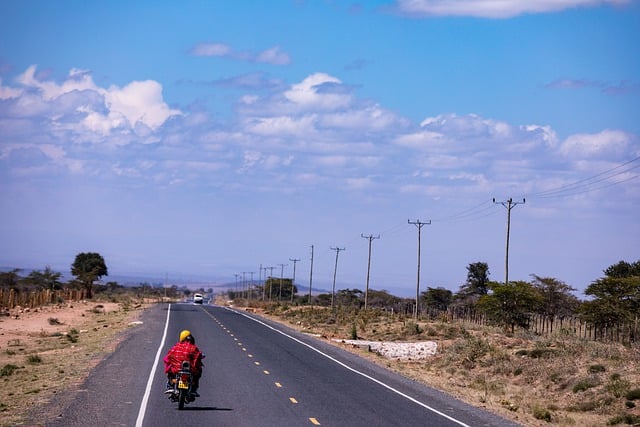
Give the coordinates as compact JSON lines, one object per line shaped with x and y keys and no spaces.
{"x":52,"y":348}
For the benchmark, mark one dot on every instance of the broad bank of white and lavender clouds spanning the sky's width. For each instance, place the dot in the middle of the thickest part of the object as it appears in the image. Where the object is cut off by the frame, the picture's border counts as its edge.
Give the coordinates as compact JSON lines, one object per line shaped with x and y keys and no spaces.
{"x":313,"y":132}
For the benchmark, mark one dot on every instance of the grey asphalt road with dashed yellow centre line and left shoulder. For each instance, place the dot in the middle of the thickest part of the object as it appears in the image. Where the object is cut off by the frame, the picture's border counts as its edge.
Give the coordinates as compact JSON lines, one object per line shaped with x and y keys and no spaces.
{"x":257,"y":373}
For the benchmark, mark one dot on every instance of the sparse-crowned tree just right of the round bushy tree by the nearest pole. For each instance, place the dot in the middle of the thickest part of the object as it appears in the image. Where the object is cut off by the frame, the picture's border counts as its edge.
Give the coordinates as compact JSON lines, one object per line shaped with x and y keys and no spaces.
{"x":557,"y":299}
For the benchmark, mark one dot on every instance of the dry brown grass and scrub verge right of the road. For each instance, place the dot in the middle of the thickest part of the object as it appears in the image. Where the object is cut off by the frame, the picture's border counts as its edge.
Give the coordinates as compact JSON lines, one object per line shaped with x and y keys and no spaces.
{"x":536,"y":381}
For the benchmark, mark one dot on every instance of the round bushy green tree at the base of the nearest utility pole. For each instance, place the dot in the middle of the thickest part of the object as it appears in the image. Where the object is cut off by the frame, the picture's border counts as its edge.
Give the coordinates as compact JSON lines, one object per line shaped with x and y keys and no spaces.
{"x":510,"y":305}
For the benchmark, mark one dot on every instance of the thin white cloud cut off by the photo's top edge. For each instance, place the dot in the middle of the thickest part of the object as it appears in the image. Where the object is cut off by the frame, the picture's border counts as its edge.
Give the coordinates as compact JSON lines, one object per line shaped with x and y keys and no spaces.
{"x":493,"y":8}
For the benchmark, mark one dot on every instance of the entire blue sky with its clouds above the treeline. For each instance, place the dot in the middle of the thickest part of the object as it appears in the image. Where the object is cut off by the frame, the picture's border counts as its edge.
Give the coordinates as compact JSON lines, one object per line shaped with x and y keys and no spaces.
{"x":209,"y":138}
